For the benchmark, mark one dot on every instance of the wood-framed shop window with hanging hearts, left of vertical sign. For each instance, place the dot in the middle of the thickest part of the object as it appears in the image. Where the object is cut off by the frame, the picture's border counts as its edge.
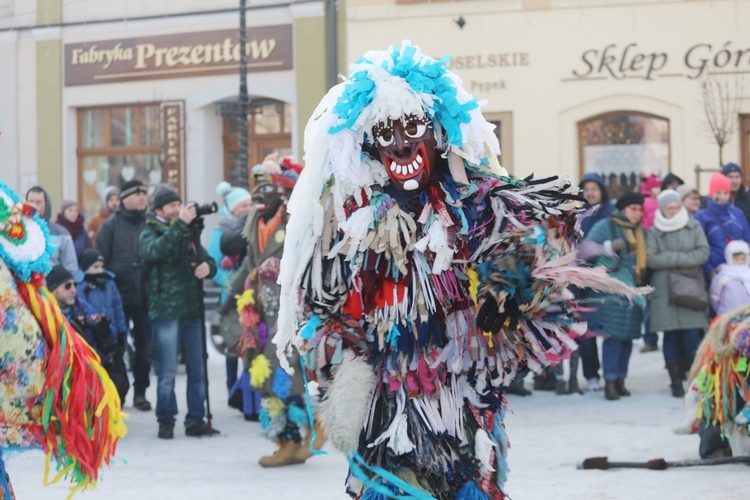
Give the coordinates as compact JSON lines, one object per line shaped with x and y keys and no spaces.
{"x":117,"y":144}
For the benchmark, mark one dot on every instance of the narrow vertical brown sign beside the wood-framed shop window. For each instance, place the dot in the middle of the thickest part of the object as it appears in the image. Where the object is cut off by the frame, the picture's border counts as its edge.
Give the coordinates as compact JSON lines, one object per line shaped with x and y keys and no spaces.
{"x":173,"y":141}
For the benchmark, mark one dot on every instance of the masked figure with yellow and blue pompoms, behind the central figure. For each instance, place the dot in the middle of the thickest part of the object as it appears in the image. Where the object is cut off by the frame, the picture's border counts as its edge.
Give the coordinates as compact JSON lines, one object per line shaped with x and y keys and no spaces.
{"x":283,"y":414}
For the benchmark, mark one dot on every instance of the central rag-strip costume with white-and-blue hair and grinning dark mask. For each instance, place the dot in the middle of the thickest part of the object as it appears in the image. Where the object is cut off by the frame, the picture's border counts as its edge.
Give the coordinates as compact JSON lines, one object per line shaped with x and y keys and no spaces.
{"x":419,"y":280}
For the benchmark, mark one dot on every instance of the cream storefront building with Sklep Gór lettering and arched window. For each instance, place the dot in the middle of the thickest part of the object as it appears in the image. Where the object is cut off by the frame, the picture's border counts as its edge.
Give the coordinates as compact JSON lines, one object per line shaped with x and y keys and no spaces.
{"x":603,"y":86}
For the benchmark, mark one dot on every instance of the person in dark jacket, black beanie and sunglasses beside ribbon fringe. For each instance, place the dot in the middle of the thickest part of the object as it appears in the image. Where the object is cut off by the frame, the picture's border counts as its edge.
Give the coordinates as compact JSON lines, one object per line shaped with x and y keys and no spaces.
{"x":93,"y":327}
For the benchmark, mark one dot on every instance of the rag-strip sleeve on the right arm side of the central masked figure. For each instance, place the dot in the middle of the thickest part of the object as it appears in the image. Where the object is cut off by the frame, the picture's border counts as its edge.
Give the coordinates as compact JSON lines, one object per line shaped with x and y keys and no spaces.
{"x":525,"y":268}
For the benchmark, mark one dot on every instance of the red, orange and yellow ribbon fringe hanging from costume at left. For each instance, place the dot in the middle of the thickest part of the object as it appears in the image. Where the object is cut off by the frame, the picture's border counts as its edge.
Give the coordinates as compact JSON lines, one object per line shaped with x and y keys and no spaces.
{"x":81,"y":416}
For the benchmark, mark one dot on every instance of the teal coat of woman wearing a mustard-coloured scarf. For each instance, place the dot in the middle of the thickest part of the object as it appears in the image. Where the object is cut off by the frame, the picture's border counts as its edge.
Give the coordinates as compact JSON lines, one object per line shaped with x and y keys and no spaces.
{"x":615,"y":316}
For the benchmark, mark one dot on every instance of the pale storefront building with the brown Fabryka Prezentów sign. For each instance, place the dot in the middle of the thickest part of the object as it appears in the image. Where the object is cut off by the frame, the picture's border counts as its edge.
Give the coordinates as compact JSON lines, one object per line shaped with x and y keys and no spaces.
{"x":150,"y":92}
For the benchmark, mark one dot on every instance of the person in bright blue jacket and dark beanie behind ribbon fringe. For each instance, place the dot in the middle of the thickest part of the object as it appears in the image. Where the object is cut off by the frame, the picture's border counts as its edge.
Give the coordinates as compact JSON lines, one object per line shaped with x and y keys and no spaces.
{"x":96,"y":286}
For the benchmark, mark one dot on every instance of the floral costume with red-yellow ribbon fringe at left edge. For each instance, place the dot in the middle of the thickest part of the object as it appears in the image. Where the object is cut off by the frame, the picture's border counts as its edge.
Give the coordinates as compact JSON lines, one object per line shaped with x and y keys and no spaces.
{"x":54,"y":393}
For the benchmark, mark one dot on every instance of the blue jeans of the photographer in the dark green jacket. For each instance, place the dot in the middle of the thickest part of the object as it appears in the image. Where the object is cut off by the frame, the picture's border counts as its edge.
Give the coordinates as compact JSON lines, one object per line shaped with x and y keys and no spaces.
{"x":169,"y":336}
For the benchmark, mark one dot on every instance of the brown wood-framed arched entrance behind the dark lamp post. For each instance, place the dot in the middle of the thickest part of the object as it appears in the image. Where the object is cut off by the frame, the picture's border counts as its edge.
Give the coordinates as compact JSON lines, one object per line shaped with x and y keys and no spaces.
{"x":269,"y":131}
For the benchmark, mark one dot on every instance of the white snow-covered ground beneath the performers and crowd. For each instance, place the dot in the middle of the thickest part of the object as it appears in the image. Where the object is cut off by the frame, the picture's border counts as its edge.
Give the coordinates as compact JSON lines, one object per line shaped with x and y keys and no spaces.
{"x":549,"y":435}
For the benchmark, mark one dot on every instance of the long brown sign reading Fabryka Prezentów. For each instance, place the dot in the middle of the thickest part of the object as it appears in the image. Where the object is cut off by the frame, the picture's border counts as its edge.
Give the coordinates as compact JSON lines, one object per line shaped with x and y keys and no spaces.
{"x":268,"y":48}
